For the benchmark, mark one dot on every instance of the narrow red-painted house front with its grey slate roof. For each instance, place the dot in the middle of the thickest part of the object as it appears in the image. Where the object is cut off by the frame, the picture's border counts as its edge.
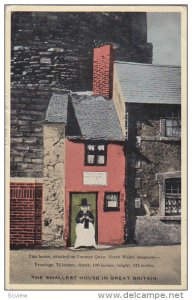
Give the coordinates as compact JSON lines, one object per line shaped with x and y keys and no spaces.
{"x":94,"y":165}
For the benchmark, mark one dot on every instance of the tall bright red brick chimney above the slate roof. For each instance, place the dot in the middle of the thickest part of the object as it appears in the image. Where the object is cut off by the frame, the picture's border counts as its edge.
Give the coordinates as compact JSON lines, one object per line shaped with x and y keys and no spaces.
{"x":103,"y":71}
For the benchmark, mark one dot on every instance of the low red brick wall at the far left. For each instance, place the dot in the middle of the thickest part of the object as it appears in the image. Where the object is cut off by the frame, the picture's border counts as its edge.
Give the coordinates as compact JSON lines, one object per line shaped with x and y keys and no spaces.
{"x":25,"y":214}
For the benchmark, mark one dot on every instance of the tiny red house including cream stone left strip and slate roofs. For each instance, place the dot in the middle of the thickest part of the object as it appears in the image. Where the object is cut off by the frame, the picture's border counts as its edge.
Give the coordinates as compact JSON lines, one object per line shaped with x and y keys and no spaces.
{"x":83,"y":158}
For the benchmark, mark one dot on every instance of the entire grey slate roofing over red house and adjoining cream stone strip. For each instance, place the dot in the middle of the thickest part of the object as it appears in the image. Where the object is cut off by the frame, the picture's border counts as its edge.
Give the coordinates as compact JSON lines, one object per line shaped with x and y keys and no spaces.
{"x":85,"y":116}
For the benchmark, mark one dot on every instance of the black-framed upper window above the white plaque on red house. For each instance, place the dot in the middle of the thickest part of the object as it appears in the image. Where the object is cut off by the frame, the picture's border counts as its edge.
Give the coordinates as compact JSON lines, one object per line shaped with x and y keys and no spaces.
{"x":95,"y":154}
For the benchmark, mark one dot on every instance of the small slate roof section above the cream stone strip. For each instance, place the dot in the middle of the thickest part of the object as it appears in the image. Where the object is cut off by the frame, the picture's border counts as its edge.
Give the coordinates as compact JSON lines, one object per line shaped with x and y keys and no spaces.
{"x":57,"y":109}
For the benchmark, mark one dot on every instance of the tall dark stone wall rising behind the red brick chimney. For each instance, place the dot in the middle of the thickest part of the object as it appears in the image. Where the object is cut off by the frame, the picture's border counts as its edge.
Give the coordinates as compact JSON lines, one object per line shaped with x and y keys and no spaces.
{"x":54,"y":51}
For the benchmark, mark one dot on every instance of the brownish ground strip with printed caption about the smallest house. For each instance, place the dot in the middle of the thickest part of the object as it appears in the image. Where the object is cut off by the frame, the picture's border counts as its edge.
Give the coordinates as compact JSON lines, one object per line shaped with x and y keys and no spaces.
{"x":159,"y":265}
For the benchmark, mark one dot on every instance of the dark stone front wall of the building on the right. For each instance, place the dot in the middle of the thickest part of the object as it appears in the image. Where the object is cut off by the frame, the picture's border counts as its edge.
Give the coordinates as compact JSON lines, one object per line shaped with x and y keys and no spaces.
{"x":148,"y":154}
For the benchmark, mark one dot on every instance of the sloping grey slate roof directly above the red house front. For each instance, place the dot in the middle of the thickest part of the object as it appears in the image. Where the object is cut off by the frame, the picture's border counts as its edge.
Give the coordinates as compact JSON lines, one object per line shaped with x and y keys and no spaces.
{"x":97,"y":118}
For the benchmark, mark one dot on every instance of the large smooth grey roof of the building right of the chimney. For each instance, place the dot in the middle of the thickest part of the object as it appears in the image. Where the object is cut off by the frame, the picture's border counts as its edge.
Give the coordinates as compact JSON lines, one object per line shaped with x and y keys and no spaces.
{"x":146,"y":83}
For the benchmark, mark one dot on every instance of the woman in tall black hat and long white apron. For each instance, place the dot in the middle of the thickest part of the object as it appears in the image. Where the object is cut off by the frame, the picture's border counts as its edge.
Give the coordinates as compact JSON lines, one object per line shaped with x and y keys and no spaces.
{"x":85,"y":232}
